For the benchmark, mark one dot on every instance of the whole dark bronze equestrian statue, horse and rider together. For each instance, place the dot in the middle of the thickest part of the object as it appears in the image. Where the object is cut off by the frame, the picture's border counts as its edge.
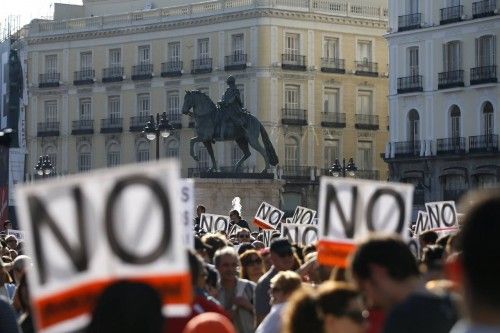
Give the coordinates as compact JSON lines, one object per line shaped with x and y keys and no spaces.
{"x":226,"y":122}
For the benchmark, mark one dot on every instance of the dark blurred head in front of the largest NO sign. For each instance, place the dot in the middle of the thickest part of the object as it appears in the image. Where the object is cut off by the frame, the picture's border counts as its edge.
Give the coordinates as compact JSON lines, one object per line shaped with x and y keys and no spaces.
{"x":125,"y":307}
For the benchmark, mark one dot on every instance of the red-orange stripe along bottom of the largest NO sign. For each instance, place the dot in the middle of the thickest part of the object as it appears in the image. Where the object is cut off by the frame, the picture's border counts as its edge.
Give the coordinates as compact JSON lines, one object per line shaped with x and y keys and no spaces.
{"x":80,"y":300}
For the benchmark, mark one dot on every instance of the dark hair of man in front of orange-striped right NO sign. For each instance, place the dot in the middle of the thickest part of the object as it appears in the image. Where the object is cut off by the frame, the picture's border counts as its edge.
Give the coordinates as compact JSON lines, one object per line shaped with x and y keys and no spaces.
{"x":388,"y":252}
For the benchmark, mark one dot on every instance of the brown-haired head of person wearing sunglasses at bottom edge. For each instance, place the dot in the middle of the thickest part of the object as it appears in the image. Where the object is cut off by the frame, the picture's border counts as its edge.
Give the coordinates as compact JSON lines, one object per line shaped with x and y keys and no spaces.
{"x":340,"y":308}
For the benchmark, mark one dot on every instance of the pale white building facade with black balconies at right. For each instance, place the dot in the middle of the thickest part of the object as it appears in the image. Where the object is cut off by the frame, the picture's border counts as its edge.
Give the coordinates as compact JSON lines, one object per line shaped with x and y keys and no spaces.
{"x":444,"y":96}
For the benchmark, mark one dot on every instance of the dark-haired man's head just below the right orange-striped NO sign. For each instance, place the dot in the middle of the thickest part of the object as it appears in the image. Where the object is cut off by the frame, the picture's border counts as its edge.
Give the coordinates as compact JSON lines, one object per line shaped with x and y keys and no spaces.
{"x":382,"y":266}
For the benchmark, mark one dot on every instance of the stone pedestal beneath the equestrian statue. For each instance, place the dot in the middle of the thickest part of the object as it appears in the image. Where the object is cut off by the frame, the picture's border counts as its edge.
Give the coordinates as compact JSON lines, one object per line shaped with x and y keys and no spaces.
{"x":216,"y":194}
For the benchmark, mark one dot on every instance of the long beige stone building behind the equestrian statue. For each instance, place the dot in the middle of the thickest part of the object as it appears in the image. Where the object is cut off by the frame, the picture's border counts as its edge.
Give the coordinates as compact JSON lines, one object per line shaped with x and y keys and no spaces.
{"x":313,"y":71}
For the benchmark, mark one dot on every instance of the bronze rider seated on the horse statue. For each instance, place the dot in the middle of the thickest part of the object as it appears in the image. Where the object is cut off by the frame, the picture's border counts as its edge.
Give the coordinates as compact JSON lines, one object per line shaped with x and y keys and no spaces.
{"x":231,"y":106}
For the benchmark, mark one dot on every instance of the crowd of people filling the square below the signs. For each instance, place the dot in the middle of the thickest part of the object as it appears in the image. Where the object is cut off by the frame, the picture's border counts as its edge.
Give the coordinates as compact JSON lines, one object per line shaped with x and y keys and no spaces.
{"x":241,"y":285}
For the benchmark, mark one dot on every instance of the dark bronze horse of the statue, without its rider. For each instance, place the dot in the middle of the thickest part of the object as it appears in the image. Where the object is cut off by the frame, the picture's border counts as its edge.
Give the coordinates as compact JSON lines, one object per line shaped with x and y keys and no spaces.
{"x":208,"y":120}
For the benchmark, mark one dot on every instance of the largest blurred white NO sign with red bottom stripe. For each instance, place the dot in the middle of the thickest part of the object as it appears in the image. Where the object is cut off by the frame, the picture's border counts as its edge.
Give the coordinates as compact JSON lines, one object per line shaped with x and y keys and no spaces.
{"x":85,"y":232}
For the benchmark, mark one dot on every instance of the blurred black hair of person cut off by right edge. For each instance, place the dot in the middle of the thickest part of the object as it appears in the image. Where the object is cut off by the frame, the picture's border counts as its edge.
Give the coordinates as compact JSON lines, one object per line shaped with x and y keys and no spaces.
{"x":481,"y":250}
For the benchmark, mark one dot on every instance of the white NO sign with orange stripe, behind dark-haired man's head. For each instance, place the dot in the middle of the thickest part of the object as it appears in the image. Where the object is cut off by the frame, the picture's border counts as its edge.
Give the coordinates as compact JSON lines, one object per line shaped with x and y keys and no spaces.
{"x":350,"y":209}
